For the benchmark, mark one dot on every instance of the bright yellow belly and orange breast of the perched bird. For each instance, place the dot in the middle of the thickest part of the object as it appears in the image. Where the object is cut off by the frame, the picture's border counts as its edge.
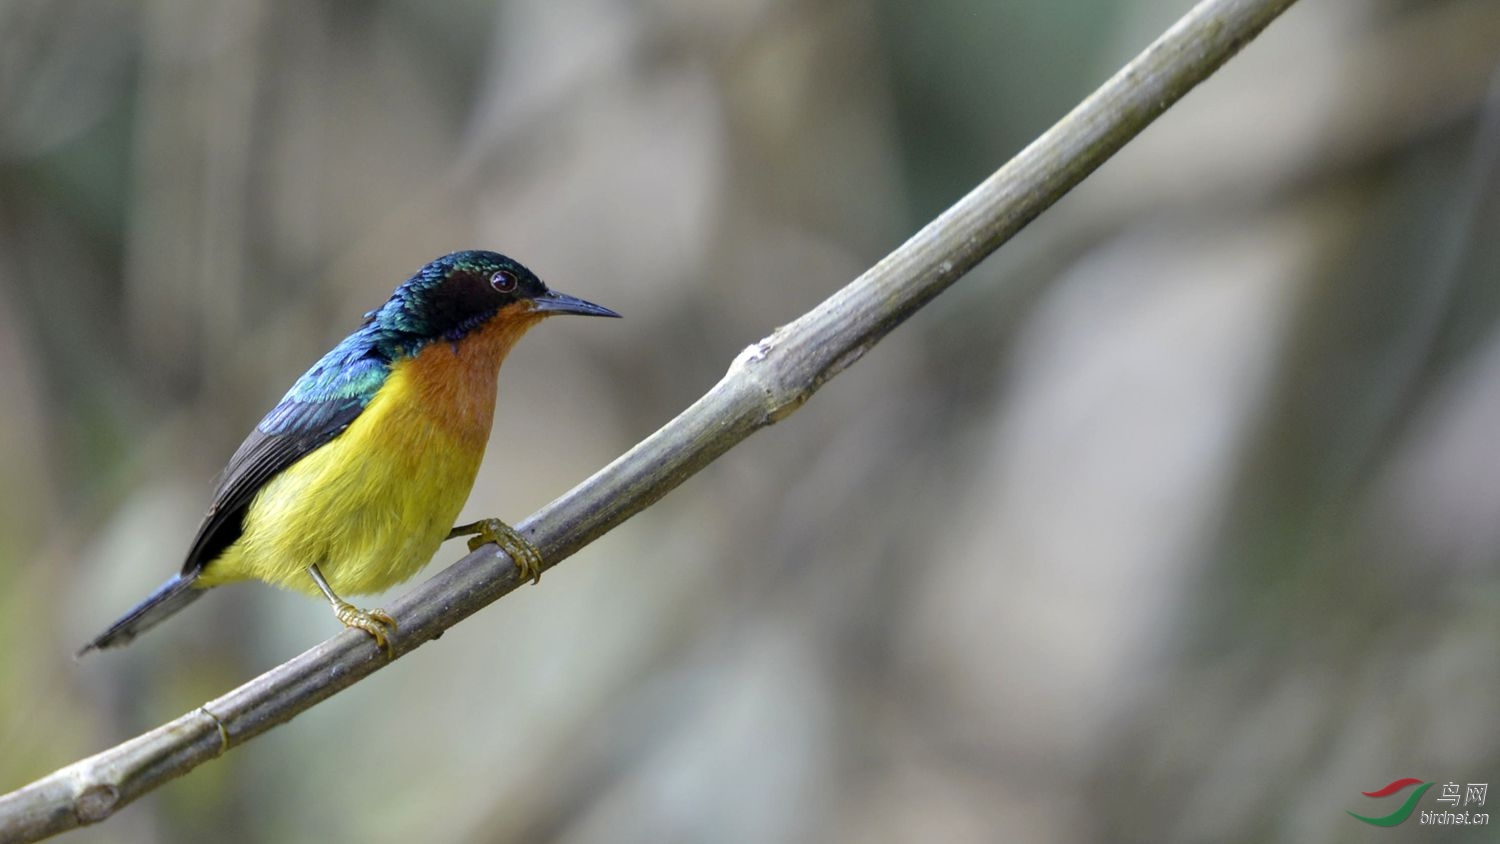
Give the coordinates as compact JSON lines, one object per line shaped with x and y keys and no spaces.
{"x":373,"y":506}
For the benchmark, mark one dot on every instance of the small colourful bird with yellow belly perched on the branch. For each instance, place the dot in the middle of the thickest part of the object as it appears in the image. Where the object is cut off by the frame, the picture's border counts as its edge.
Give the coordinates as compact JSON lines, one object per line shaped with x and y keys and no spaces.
{"x":355,"y":479}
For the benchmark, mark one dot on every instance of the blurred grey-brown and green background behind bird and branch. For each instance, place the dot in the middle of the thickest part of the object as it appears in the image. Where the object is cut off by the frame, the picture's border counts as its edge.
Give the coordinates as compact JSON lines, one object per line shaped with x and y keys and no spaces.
{"x":1175,"y":521}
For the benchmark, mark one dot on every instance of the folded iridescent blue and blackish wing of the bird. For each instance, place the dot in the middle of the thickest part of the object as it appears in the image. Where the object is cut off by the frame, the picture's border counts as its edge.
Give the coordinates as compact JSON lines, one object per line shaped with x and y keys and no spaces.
{"x":317,"y":409}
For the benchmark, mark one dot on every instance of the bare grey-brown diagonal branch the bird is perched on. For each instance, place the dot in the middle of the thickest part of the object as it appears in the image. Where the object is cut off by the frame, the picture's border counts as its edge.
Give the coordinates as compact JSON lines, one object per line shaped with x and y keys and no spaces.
{"x":766,"y":385}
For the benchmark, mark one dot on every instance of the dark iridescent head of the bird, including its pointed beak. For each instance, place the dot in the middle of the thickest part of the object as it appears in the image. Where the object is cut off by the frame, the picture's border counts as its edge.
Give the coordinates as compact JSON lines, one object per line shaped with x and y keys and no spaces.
{"x":463,"y":292}
